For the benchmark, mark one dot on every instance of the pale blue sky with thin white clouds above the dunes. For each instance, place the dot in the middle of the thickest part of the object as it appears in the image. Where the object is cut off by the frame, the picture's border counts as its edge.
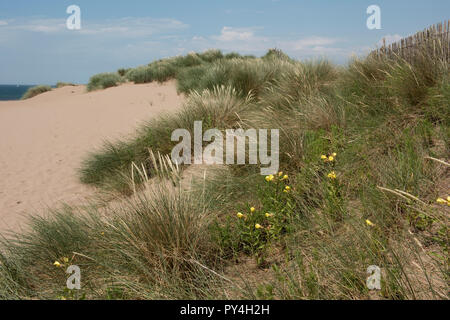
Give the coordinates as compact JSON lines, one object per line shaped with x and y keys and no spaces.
{"x":36,"y":47}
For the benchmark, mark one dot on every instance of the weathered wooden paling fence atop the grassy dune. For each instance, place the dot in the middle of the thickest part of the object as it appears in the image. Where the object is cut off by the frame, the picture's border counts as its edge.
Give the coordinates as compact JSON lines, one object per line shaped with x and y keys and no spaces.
{"x":433,"y":41}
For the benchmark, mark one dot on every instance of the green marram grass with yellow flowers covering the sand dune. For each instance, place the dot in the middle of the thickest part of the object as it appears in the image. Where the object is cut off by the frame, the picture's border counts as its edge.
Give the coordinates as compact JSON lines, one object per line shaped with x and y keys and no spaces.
{"x":364,"y":154}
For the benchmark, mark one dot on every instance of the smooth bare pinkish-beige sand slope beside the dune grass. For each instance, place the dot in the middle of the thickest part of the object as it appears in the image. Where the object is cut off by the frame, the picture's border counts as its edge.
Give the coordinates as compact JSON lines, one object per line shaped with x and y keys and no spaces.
{"x":44,"y":139}
